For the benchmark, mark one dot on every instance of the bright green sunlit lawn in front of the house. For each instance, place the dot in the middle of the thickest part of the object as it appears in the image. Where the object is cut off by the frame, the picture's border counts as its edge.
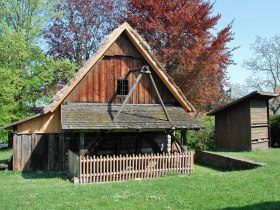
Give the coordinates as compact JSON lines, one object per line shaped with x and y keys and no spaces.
{"x":205,"y":189}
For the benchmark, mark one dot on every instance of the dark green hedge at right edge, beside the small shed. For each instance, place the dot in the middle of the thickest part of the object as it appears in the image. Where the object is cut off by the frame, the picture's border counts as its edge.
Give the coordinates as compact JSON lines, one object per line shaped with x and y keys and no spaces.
{"x":275,"y":130}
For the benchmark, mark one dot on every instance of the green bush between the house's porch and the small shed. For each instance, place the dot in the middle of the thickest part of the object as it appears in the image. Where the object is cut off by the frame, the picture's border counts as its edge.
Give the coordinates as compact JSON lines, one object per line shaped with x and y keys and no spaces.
{"x":205,"y":138}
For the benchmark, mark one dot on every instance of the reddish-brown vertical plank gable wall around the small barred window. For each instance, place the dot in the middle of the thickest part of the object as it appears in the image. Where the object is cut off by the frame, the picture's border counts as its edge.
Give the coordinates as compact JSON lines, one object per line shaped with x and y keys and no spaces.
{"x":100,"y":84}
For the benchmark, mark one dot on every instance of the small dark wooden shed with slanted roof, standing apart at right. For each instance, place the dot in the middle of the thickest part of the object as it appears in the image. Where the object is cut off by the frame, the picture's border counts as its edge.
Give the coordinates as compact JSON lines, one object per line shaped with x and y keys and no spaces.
{"x":244,"y":123}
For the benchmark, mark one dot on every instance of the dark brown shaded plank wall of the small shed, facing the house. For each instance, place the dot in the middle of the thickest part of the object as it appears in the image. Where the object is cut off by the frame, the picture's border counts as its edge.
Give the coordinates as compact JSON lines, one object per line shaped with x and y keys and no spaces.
{"x":233,"y":127}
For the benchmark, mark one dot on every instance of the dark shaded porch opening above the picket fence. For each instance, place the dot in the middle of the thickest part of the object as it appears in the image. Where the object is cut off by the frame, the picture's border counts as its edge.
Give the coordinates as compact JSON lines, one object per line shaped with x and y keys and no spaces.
{"x":126,"y":143}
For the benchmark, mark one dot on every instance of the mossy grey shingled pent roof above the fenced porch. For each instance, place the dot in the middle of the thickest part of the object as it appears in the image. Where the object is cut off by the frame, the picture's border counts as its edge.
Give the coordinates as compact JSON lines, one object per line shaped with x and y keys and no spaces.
{"x":98,"y":116}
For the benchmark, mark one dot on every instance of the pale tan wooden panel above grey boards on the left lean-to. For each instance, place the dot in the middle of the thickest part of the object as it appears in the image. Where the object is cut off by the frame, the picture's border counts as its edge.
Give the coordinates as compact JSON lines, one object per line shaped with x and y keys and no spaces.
{"x":48,"y":123}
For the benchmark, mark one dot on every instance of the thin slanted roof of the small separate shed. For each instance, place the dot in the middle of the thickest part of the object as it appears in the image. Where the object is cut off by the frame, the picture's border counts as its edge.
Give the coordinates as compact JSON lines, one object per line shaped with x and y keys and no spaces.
{"x":253,"y":95}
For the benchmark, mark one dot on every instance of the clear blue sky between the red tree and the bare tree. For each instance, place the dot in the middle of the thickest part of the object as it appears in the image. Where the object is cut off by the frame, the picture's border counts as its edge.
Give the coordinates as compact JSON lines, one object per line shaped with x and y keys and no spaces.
{"x":251,"y":18}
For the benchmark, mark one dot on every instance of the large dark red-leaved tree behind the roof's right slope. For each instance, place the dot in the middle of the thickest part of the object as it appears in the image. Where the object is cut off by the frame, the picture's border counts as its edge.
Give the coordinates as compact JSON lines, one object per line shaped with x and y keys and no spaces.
{"x":180,"y":34}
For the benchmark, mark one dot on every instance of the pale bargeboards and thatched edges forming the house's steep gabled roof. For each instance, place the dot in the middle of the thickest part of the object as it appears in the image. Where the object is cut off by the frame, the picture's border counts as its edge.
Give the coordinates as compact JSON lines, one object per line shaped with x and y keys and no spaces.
{"x":145,"y":51}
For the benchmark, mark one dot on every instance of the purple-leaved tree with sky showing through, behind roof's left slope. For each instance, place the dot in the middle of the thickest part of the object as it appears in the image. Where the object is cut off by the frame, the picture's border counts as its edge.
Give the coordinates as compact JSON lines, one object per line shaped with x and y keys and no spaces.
{"x":75,"y":35}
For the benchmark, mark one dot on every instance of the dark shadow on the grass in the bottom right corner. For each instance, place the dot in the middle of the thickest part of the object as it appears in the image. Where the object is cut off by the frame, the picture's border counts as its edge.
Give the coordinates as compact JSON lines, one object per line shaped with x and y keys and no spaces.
{"x":266,"y":205}
